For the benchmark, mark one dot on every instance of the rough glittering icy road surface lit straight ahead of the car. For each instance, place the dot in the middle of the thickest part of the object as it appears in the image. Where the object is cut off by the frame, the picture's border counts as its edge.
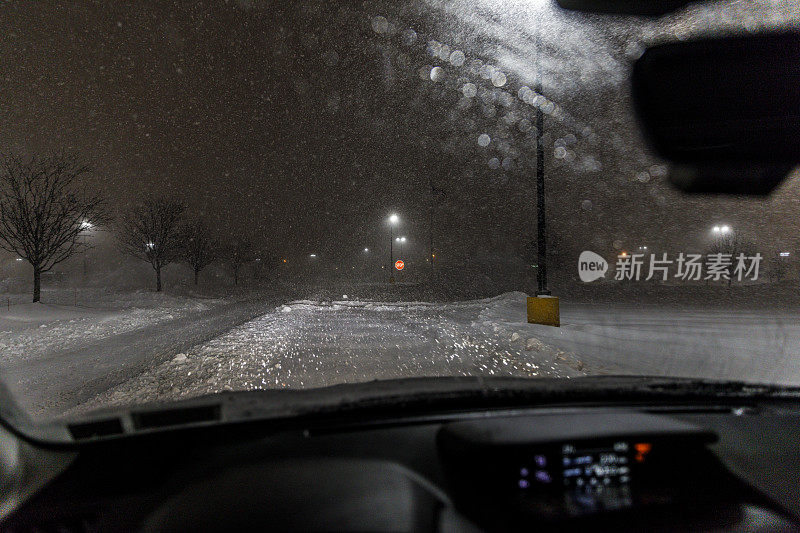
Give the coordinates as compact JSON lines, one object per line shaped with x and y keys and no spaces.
{"x":316,"y":344}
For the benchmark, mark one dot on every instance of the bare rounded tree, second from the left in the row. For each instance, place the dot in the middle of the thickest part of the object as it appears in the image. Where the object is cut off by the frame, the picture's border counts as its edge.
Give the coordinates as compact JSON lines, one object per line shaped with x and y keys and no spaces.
{"x":151,"y":231}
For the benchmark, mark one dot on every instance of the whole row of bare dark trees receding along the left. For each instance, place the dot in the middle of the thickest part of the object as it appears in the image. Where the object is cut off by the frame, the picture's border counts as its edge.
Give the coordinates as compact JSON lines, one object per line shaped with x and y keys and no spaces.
{"x":46,"y":208}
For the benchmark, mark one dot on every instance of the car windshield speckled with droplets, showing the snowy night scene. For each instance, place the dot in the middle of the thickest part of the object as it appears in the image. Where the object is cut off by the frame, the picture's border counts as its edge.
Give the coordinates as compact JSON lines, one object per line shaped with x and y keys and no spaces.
{"x":199,"y":197}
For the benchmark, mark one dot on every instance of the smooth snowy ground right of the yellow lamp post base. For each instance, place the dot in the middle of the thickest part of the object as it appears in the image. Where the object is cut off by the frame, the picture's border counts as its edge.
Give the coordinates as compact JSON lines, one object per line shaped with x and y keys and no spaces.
{"x":756,"y":345}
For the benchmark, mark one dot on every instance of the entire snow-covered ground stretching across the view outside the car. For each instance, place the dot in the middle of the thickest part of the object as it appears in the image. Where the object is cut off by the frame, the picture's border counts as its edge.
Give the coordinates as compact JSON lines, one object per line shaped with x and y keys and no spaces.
{"x":88,"y":358}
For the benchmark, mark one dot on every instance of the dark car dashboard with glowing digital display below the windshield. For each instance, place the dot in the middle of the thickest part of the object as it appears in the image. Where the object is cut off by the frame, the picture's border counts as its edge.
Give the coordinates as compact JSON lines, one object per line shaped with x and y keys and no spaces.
{"x":655,"y":467}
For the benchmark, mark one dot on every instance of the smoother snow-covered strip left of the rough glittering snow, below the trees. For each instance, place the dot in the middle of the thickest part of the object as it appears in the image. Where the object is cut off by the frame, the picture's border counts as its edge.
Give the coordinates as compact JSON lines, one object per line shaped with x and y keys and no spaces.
{"x":55,"y":356}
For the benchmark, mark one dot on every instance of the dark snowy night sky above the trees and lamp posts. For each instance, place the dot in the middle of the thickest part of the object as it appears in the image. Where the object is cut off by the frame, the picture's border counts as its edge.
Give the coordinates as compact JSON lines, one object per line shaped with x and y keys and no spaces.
{"x":303,"y":125}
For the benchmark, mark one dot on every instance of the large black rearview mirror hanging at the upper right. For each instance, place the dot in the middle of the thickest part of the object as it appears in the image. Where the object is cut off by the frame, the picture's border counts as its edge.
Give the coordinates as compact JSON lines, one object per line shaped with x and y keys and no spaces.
{"x":727,"y":110}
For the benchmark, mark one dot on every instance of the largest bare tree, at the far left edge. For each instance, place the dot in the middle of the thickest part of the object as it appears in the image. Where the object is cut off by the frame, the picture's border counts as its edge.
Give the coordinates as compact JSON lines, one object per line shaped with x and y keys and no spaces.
{"x":44,"y":208}
